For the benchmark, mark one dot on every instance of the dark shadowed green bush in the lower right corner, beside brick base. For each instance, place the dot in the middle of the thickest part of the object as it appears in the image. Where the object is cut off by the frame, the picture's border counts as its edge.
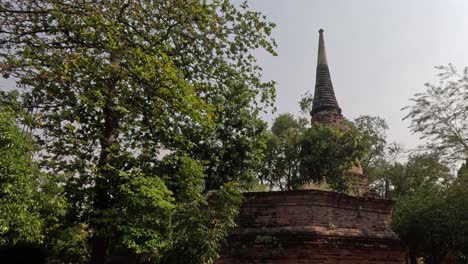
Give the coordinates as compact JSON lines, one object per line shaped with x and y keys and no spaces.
{"x":432,"y":222}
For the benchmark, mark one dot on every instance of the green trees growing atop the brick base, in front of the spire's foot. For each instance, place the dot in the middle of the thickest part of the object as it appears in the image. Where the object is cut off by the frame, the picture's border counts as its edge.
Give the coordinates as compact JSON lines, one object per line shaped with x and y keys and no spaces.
{"x":299,"y":156}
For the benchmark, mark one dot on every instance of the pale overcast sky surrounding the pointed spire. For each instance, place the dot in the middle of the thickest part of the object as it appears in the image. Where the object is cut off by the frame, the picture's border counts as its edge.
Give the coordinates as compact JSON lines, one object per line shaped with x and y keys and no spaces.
{"x":379,"y":52}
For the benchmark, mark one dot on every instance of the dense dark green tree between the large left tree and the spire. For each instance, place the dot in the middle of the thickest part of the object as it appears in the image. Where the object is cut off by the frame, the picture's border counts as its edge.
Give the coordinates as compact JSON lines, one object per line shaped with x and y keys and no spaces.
{"x":232,"y":150}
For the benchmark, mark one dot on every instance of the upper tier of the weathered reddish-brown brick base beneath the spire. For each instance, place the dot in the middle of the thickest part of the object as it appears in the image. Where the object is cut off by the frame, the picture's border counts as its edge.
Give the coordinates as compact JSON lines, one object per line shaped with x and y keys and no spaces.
{"x":315,"y":208}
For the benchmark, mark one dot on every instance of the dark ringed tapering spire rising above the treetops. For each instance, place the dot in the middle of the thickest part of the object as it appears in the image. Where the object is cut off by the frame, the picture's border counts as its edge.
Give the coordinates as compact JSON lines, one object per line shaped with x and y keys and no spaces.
{"x":324,"y":96}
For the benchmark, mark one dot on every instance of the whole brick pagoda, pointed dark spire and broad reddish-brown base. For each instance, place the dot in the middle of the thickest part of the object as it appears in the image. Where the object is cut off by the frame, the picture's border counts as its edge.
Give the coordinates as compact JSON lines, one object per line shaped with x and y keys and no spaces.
{"x":312,"y":226}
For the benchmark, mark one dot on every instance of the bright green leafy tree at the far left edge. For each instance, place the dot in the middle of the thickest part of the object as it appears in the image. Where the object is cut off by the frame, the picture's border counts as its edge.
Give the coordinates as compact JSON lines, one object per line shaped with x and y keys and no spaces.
{"x":30,"y":201}
